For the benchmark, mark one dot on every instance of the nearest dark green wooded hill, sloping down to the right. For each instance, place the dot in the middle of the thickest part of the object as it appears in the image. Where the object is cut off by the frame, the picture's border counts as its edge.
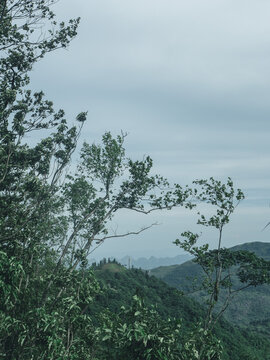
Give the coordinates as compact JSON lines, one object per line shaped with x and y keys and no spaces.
{"x":120,"y":284}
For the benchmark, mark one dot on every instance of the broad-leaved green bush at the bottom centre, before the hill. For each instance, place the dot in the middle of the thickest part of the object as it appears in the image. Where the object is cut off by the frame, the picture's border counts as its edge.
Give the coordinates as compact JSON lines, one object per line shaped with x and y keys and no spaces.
{"x":140,"y":333}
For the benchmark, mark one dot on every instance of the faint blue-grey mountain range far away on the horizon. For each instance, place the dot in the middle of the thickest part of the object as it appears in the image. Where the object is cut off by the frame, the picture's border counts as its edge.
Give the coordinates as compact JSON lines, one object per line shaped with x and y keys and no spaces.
{"x":150,"y":263}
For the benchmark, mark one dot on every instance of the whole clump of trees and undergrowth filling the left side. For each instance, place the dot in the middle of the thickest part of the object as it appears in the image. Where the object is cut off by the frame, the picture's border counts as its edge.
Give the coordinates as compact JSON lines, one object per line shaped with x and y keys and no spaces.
{"x":48,"y":221}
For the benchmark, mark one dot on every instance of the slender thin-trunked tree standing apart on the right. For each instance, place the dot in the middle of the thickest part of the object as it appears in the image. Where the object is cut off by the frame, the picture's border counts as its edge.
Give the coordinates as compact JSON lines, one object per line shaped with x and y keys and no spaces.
{"x":221,"y":267}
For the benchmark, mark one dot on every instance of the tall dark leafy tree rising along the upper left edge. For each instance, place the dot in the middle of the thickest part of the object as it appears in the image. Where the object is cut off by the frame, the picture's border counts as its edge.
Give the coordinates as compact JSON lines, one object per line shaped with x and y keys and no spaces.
{"x":27,"y":179}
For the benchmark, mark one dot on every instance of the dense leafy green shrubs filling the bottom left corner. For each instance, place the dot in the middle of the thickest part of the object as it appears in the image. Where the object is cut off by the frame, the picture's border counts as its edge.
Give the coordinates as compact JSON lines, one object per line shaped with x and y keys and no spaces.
{"x":30,"y":329}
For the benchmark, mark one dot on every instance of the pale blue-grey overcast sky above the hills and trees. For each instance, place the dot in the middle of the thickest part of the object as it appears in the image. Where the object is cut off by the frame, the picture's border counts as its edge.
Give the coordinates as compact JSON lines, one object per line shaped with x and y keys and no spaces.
{"x":189,"y":81}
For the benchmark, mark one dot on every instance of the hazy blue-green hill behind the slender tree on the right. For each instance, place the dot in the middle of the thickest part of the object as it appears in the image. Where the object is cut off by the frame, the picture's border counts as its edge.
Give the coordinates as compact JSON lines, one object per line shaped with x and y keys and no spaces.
{"x":250,"y":308}
